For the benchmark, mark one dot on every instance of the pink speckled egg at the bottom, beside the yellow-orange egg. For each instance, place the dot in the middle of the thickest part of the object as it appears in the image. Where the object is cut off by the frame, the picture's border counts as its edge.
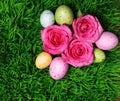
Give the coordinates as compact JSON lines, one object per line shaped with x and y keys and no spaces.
{"x":58,"y":68}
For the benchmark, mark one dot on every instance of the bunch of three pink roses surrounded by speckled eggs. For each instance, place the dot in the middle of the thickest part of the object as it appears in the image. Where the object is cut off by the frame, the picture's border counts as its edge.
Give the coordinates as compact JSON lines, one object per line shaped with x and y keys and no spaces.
{"x":74,"y":45}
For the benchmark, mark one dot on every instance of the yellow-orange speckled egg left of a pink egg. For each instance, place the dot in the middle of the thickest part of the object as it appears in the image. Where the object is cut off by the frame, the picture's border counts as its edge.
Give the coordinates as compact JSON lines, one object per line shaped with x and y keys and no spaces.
{"x":43,"y":60}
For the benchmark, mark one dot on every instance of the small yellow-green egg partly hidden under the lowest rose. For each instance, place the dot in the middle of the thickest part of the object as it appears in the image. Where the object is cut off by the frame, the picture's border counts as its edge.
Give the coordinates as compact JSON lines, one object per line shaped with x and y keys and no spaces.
{"x":99,"y":55}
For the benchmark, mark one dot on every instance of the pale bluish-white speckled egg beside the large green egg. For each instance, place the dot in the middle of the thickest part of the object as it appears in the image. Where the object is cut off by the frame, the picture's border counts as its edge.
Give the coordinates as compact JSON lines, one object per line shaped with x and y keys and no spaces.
{"x":47,"y":18}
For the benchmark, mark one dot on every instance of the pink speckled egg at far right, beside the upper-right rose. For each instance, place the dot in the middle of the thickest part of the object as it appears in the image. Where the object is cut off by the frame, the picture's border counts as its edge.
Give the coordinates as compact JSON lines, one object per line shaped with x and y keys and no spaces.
{"x":107,"y":41}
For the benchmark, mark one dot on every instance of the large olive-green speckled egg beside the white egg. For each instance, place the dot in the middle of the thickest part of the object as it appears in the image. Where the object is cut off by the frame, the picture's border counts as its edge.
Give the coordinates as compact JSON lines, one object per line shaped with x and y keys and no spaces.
{"x":64,"y":15}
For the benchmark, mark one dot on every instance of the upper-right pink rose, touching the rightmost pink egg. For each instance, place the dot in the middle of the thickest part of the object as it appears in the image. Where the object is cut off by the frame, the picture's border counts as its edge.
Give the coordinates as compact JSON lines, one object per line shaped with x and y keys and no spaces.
{"x":87,"y":28}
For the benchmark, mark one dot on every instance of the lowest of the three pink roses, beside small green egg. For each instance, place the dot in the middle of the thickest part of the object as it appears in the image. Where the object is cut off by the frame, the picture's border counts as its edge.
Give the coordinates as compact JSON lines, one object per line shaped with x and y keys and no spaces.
{"x":78,"y":53}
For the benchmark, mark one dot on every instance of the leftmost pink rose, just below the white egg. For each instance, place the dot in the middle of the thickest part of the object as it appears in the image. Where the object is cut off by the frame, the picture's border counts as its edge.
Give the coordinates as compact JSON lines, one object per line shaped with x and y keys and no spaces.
{"x":56,"y":38}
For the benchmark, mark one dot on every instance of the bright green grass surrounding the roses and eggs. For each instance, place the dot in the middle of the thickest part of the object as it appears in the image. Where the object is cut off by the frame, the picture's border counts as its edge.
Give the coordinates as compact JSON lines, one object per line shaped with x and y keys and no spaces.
{"x":20,"y":43}
